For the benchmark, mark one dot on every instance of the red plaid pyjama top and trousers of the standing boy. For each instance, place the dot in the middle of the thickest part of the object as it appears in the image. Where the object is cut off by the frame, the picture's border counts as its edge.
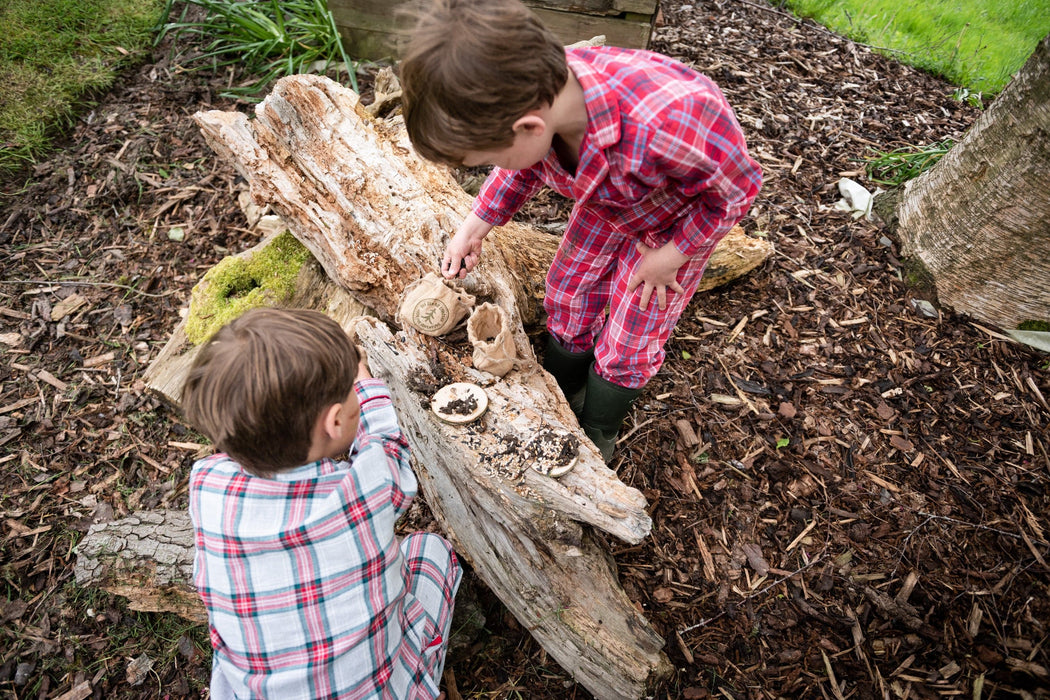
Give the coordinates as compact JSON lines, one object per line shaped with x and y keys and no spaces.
{"x":663,"y":160}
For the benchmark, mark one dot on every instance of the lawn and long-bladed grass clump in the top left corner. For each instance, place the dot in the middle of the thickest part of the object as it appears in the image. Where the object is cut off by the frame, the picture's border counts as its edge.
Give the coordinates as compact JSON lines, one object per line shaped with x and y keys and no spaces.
{"x":55,"y":55}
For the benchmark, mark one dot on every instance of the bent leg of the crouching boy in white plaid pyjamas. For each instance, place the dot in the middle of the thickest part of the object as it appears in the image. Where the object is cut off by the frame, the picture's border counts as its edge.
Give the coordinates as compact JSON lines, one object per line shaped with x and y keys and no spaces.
{"x":434,"y":578}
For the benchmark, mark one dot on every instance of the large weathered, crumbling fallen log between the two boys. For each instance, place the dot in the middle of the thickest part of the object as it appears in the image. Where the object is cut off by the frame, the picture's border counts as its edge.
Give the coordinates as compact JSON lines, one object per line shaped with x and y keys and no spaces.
{"x":376,"y":219}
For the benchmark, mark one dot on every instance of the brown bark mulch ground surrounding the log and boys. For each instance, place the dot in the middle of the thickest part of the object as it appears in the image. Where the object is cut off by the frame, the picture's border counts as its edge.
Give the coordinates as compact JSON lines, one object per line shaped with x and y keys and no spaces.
{"x":850,"y":497}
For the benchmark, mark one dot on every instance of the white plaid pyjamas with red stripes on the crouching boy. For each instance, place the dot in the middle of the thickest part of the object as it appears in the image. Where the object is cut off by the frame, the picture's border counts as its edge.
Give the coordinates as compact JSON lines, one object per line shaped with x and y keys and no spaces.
{"x":309,"y":592}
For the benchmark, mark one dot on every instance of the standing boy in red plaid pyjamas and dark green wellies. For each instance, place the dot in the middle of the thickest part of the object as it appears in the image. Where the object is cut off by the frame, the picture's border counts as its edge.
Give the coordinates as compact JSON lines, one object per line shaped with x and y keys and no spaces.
{"x":649,"y":150}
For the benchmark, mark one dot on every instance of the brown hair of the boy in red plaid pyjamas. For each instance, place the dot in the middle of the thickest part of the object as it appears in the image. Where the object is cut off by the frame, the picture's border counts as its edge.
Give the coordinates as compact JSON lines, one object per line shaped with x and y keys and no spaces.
{"x":472,"y":69}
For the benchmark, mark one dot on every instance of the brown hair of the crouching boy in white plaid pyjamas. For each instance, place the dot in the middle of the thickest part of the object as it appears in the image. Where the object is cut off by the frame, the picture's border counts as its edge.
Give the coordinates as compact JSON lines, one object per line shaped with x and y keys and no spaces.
{"x":259,"y":387}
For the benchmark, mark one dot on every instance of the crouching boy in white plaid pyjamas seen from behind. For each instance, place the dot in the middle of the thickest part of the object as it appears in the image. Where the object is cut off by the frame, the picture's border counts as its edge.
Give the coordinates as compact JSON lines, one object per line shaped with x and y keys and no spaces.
{"x":310,"y":595}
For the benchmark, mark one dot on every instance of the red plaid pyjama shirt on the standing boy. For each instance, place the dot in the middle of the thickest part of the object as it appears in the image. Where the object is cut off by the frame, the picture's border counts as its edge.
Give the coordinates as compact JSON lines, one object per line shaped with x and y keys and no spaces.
{"x":663,"y":151}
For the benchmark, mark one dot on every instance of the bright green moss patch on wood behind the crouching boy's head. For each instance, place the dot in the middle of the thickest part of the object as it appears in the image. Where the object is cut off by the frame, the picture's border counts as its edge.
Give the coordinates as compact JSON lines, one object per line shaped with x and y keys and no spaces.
{"x":265,"y":279}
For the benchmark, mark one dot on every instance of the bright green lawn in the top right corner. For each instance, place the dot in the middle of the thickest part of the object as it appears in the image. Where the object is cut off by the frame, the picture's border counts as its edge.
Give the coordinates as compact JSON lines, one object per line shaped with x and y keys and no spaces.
{"x":975,"y":45}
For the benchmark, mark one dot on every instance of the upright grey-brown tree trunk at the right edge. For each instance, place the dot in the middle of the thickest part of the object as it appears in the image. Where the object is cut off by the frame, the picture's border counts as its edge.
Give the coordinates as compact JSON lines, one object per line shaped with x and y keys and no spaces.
{"x":980,"y":220}
